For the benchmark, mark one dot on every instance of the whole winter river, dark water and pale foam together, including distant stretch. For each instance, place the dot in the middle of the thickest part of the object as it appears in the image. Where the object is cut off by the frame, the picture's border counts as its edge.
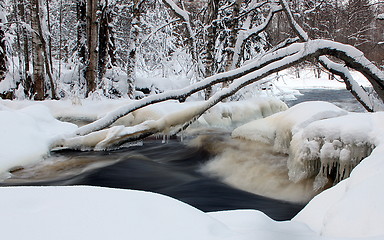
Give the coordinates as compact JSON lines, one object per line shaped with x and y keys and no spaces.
{"x":210,"y":170}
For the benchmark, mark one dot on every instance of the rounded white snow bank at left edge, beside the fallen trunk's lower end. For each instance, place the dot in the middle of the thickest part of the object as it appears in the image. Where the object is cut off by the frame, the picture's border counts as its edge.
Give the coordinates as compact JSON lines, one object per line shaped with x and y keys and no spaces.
{"x":26,"y":135}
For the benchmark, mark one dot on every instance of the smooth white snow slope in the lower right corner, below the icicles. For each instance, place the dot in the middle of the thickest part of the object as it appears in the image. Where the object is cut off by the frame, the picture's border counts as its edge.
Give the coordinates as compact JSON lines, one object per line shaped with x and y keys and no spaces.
{"x":354,"y":207}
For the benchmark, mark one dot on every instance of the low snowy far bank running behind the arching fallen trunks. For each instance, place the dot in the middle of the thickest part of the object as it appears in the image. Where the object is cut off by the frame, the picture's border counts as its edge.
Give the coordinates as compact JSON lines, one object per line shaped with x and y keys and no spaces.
{"x":228,"y":114}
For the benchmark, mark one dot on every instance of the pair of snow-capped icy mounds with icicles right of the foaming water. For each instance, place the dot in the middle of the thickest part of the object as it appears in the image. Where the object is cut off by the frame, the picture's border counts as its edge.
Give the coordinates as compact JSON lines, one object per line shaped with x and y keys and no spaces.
{"x":322,"y":140}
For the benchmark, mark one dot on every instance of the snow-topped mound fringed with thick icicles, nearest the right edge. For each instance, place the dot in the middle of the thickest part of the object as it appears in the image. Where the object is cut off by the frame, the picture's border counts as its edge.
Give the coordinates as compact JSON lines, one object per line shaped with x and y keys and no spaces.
{"x":330,"y":148}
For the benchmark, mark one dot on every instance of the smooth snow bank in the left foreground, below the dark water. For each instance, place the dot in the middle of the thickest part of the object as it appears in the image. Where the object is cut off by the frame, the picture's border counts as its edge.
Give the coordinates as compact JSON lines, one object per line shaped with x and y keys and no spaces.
{"x":100,"y":213}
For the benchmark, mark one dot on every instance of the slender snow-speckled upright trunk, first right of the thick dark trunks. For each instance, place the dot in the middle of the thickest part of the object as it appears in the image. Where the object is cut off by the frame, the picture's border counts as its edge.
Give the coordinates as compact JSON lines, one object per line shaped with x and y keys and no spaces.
{"x":134,"y":42}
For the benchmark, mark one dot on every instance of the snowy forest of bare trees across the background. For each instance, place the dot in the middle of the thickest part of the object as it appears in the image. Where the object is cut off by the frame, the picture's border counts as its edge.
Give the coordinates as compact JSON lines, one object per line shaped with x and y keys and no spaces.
{"x":55,"y":49}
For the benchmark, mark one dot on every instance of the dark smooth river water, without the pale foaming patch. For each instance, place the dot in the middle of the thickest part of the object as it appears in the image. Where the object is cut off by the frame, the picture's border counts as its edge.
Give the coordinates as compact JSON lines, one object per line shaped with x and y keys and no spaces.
{"x":173,"y":169}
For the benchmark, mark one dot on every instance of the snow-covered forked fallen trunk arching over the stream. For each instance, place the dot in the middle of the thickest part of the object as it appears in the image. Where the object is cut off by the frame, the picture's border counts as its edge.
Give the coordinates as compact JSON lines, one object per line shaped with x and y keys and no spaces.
{"x":255,"y":71}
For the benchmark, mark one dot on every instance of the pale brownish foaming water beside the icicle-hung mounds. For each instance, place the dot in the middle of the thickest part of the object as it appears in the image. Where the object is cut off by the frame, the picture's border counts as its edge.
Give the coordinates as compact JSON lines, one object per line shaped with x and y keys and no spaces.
{"x":254,"y":167}
